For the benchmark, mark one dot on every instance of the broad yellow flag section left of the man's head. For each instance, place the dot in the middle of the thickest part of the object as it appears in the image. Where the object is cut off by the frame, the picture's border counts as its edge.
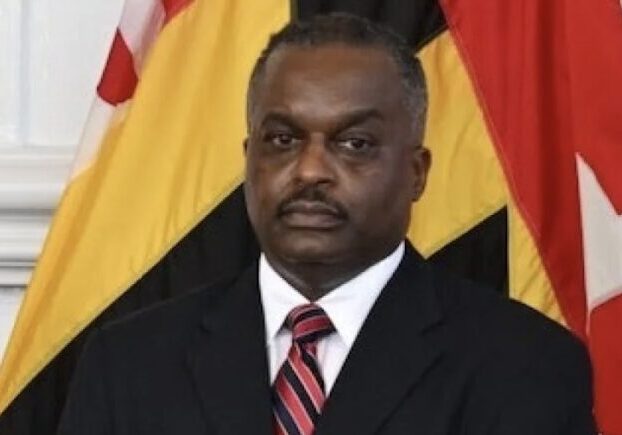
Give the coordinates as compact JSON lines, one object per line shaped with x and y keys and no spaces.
{"x":162,"y":169}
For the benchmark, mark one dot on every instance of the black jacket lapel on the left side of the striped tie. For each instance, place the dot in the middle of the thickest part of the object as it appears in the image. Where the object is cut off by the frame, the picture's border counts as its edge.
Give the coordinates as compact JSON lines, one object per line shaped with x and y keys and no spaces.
{"x":228,"y":362}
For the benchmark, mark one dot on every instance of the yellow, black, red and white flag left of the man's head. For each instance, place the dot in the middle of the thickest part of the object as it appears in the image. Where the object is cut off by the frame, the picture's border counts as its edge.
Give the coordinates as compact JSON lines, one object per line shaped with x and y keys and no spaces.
{"x":161,"y":151}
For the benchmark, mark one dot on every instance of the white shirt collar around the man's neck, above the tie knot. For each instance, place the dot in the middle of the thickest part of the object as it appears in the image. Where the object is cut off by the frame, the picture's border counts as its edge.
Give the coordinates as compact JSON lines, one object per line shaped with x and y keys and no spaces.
{"x":347,"y":305}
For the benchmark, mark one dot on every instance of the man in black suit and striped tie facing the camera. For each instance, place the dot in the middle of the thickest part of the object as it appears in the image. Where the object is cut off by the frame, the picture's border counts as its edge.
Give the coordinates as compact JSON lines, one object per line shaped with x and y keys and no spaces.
{"x":341,"y":328}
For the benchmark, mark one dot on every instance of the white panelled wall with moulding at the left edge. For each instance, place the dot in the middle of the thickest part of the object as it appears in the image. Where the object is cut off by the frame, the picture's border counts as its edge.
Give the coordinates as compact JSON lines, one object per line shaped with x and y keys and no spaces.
{"x":51,"y":55}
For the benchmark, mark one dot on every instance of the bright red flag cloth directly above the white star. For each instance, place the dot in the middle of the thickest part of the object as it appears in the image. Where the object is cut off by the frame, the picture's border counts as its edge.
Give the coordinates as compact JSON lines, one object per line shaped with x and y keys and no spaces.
{"x":596,"y":74}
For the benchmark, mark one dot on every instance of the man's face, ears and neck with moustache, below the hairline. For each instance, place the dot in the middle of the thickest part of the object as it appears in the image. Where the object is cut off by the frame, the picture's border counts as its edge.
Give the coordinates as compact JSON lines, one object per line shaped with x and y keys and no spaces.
{"x":333,"y":163}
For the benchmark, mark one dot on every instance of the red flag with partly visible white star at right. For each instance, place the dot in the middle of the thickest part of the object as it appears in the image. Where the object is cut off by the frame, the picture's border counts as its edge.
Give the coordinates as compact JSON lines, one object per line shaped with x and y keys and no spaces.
{"x":548,"y":79}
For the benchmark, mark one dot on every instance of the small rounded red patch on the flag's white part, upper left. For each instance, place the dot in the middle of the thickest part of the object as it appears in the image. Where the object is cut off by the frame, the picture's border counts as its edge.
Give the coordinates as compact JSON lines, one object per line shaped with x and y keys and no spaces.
{"x":119,"y":78}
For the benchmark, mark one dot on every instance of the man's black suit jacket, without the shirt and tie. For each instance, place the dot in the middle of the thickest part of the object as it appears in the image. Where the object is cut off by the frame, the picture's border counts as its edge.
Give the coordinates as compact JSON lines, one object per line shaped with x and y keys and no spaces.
{"x":436,"y":355}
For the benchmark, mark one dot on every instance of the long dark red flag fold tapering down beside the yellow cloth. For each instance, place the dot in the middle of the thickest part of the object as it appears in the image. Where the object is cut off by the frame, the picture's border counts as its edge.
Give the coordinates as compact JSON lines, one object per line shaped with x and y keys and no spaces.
{"x":518,"y":70}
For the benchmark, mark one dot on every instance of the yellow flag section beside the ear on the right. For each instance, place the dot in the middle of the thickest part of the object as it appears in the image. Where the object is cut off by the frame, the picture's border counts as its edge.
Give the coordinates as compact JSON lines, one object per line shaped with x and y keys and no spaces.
{"x":466,"y":184}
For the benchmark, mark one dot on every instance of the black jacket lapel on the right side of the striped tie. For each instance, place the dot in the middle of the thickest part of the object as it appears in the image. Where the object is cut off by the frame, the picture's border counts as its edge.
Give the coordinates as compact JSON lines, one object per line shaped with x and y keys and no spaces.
{"x":391,"y":353}
